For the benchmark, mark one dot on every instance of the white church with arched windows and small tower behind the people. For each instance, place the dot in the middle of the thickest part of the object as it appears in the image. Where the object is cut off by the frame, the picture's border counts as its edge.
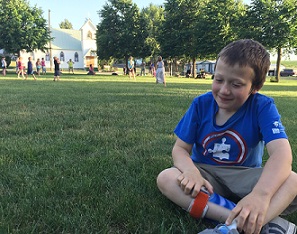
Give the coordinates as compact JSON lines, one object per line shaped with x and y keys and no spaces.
{"x":77,"y":45}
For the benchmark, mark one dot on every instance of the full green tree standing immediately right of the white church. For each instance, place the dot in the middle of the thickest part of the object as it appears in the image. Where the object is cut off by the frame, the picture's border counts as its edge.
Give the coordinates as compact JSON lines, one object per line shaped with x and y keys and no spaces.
{"x":120,"y":33}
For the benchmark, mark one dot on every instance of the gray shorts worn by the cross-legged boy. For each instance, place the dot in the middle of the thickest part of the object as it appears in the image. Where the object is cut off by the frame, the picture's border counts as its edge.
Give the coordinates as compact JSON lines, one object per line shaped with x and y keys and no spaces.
{"x":235,"y":182}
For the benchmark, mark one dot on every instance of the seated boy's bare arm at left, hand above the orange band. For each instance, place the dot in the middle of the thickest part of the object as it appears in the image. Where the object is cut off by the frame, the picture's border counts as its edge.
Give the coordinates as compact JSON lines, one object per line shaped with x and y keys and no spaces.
{"x":190,"y":179}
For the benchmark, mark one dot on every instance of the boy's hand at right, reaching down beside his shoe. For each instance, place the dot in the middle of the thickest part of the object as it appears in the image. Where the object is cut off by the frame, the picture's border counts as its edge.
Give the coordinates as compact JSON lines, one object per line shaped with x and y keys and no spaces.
{"x":249,"y":213}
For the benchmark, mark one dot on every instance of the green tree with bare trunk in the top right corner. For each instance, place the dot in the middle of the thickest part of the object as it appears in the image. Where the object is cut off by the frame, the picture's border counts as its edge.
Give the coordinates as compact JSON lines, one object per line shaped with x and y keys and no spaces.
{"x":274,"y":24}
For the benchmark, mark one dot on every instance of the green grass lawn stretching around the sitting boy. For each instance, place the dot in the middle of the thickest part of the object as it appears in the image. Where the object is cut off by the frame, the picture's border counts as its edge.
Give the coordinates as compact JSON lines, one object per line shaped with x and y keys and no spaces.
{"x":82,"y":155}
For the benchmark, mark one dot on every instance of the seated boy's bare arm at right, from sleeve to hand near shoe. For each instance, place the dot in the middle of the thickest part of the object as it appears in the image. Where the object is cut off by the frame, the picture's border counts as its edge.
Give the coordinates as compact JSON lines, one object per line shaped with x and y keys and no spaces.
{"x":251,"y":211}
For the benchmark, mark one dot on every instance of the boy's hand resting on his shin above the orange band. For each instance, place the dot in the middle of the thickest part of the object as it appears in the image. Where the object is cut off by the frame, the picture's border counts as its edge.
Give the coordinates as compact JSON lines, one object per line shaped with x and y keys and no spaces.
{"x":191,"y":183}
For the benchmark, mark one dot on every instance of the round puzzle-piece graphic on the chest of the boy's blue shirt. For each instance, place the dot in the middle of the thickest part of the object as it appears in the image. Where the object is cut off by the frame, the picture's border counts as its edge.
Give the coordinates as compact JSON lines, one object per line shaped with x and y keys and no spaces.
{"x":226,"y":147}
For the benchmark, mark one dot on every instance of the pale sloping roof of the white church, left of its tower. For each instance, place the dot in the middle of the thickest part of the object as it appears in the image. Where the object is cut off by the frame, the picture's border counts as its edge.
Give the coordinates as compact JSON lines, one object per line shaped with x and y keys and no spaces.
{"x":66,"y":39}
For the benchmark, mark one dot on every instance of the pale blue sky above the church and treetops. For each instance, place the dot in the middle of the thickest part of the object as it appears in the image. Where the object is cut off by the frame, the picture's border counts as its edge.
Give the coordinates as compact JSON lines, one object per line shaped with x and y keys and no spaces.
{"x":77,"y":11}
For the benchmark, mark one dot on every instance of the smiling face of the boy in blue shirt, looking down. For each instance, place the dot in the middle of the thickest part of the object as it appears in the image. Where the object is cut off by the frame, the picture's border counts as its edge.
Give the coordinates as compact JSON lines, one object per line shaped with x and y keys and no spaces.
{"x":231,"y":86}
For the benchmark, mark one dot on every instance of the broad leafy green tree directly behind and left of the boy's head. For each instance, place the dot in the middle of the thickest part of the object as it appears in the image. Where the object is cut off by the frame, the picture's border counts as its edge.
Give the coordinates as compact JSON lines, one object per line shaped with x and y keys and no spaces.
{"x":199,"y":29}
